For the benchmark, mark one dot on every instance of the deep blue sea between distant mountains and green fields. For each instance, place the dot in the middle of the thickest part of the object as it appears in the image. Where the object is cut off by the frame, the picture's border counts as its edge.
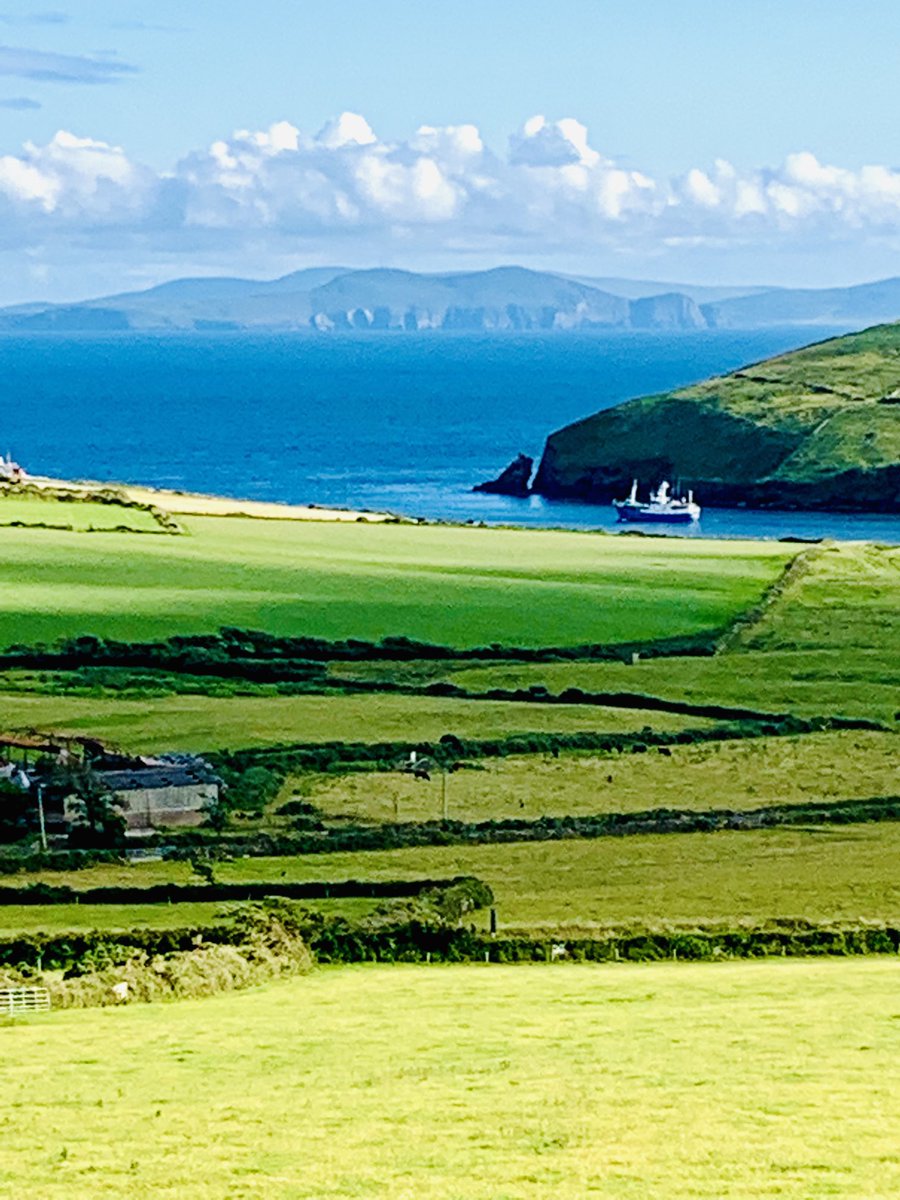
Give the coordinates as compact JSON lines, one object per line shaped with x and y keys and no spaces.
{"x":406,"y":423}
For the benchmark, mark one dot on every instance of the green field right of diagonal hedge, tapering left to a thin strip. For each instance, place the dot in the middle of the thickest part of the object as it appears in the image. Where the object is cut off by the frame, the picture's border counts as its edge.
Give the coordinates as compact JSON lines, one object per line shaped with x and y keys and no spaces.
{"x":826,"y":646}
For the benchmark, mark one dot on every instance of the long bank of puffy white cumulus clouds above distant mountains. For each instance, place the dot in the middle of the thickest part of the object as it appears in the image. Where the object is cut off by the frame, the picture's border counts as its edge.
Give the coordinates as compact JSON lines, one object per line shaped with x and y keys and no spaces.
{"x":553,"y":193}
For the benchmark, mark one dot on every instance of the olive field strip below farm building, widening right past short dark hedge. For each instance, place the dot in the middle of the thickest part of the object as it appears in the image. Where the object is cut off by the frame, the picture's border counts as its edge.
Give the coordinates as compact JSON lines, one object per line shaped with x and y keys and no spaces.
{"x":837,"y":873}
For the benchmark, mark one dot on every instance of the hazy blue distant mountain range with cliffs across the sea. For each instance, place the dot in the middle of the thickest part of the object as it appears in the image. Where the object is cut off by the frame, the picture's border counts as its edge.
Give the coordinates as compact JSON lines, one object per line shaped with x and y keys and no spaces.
{"x":507,"y":298}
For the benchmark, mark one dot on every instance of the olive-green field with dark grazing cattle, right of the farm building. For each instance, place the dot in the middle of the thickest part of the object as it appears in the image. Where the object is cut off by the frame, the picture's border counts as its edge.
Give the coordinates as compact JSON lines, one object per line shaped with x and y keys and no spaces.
{"x":740,"y":775}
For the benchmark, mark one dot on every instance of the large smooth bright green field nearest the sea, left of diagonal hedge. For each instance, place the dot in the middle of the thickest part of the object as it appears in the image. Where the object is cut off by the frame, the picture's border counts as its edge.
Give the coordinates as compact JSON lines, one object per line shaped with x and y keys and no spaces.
{"x":448,"y":585}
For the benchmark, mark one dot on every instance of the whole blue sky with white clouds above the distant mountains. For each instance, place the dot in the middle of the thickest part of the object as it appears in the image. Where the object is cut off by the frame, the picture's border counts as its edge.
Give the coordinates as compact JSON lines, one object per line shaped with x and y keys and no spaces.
{"x":699,"y":142}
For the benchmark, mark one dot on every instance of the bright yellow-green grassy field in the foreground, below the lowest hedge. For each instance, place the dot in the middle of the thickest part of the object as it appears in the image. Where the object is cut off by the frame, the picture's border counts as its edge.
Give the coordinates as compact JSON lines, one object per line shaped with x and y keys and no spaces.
{"x":733,"y":1081}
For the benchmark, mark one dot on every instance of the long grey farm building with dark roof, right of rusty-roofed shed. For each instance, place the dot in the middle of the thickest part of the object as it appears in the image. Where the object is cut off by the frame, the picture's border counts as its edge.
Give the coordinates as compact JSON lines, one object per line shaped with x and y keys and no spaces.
{"x":173,"y":790}
